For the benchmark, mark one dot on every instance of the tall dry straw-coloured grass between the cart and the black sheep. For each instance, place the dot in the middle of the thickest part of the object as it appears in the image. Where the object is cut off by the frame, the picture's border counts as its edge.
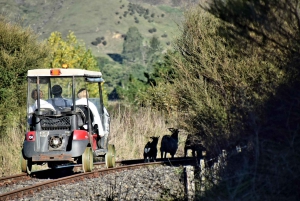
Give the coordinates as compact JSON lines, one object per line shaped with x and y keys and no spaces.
{"x":130,"y":131}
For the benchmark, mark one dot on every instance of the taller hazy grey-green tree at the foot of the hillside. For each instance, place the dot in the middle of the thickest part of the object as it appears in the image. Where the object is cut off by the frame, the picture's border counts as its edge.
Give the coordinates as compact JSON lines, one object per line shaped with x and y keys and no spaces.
{"x":132,"y":45}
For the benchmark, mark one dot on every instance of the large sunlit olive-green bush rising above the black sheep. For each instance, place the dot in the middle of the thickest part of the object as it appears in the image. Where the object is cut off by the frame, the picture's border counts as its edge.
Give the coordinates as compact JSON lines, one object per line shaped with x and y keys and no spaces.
{"x":220,"y":87}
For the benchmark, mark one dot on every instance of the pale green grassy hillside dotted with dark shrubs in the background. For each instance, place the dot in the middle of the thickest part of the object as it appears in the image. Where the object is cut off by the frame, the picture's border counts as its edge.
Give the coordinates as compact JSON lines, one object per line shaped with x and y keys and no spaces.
{"x":100,"y":24}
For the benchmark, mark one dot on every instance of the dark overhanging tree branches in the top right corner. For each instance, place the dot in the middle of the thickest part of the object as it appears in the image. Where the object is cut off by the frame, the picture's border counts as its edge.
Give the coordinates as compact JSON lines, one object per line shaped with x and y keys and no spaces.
{"x":270,"y":28}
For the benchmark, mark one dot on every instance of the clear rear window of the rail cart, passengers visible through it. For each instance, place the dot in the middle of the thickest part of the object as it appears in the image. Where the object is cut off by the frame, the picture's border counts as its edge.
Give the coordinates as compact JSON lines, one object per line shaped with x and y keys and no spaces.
{"x":58,"y":93}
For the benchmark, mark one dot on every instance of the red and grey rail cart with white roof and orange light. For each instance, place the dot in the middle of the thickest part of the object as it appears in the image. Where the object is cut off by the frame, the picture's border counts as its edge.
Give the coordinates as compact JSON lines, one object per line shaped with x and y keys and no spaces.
{"x":65,"y":134}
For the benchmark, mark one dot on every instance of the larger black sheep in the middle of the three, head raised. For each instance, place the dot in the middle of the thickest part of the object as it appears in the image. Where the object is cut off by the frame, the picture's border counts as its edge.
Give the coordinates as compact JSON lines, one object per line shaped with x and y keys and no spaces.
{"x":169,"y":143}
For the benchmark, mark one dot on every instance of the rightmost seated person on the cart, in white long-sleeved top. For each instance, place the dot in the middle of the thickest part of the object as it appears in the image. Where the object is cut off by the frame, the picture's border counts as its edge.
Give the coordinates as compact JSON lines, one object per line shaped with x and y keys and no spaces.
{"x":83,"y":95}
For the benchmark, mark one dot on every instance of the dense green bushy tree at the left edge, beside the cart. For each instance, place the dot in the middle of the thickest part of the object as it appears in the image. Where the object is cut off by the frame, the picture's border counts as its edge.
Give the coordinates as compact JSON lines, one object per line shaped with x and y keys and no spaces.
{"x":20,"y":51}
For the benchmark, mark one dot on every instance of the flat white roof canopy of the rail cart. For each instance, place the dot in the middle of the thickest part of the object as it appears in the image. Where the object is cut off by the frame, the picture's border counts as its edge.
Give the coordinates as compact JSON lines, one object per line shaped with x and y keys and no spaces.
{"x":64,"y":72}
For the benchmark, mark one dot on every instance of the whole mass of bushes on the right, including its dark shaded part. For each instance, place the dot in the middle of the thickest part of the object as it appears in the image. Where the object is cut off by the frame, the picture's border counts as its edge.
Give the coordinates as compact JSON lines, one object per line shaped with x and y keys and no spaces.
{"x":236,"y":85}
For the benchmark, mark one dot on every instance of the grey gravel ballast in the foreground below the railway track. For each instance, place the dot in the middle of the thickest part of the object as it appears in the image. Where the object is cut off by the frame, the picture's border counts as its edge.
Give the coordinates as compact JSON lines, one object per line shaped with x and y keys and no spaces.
{"x":151,"y":183}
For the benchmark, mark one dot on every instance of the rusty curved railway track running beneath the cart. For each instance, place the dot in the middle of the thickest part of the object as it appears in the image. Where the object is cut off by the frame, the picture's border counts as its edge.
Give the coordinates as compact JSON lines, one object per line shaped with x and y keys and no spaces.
{"x":39,"y":180}
